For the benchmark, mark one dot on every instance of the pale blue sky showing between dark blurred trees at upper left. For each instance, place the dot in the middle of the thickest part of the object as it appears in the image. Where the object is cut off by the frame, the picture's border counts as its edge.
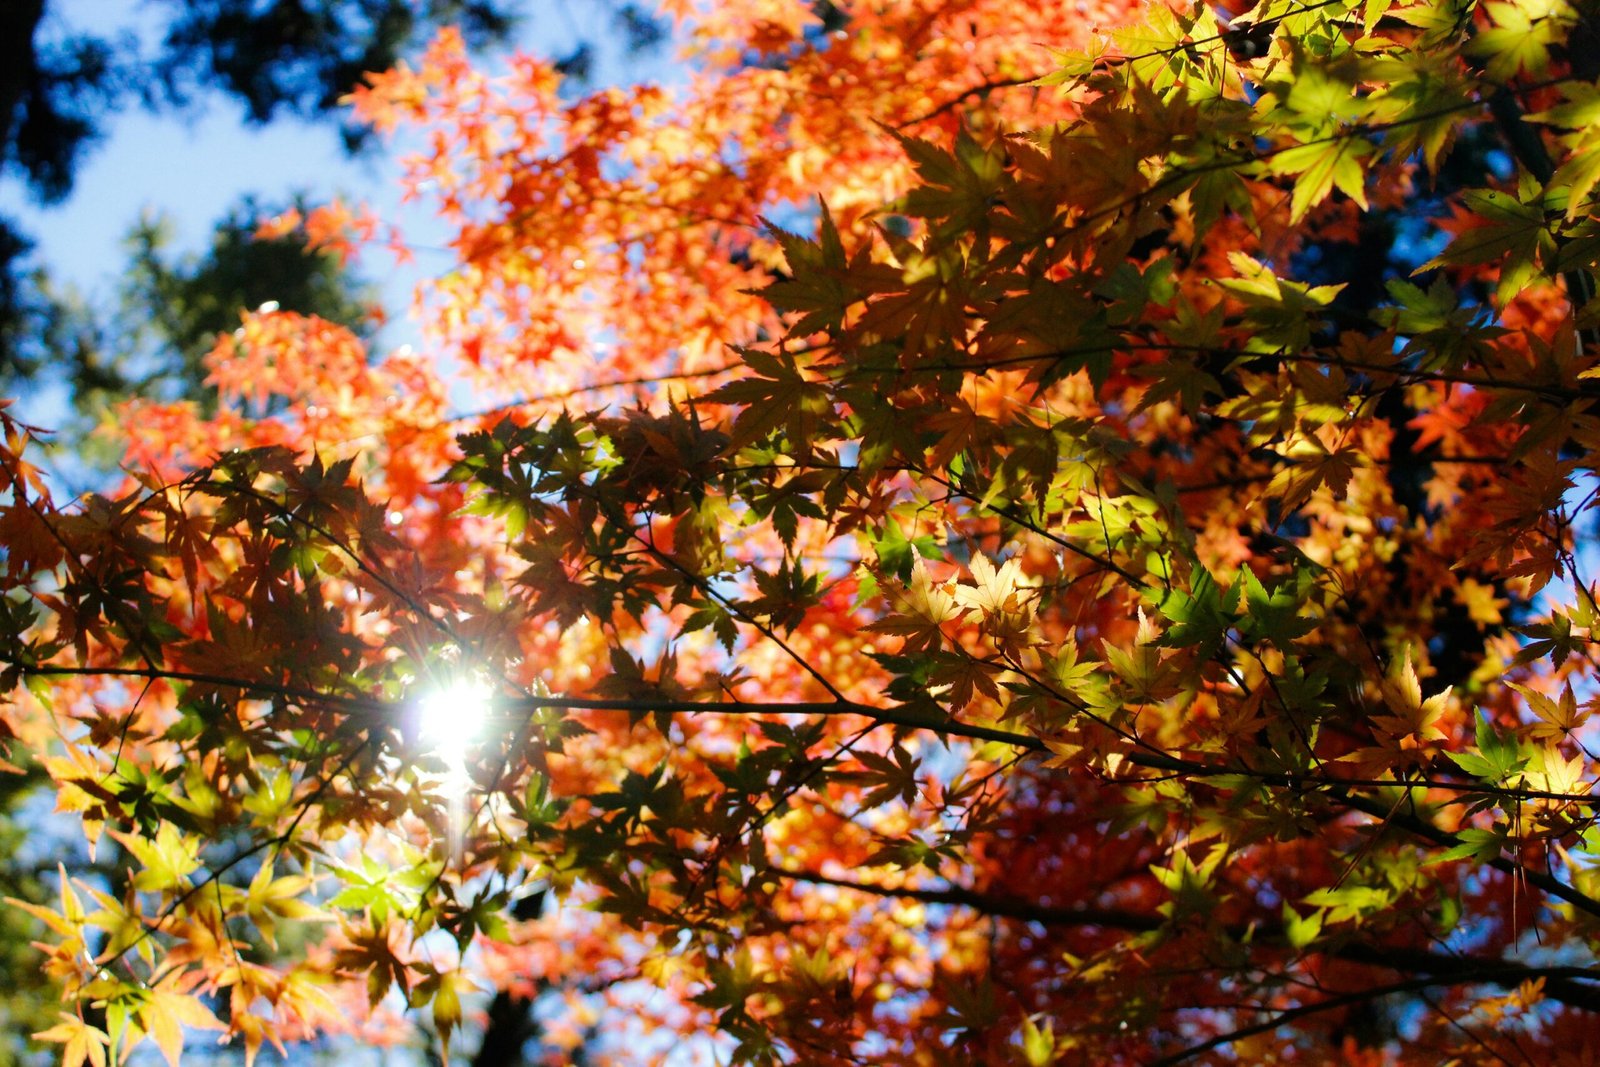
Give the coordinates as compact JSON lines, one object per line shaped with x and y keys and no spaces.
{"x":193,"y":167}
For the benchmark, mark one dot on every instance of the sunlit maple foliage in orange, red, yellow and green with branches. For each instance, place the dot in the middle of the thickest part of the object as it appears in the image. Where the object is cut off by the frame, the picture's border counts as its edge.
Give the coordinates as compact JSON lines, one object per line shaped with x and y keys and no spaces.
{"x":962,"y":533}
